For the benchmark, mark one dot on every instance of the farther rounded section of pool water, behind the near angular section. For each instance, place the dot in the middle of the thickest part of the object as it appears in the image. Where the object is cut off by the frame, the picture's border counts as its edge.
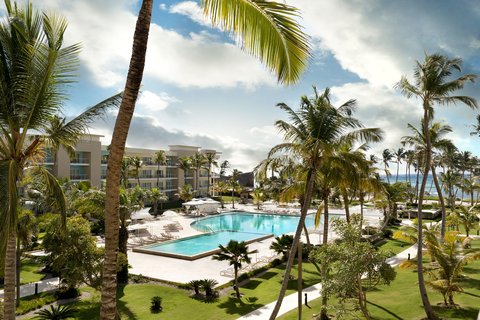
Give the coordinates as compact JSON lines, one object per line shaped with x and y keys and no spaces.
{"x":251,"y":222}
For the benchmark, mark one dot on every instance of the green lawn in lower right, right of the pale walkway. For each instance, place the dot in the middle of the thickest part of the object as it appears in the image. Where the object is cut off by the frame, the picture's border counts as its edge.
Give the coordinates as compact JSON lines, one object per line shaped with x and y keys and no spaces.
{"x":401,"y":300}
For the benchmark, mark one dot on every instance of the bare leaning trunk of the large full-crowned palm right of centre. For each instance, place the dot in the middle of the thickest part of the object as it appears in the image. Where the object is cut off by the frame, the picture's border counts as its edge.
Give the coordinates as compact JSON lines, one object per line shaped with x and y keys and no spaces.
{"x":296,"y":240}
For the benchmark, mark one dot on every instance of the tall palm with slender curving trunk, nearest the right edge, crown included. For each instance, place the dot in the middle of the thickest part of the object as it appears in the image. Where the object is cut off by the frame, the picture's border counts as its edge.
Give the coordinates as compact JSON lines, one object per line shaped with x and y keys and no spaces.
{"x":433,"y":84}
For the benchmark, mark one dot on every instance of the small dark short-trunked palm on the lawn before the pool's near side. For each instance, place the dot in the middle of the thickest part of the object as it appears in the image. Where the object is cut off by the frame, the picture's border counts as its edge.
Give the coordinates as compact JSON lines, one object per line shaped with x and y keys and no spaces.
{"x":235,"y":253}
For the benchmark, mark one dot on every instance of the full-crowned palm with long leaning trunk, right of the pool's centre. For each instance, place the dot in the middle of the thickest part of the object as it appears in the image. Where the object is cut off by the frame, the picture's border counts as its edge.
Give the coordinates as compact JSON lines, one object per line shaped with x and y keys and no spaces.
{"x":310,"y":136}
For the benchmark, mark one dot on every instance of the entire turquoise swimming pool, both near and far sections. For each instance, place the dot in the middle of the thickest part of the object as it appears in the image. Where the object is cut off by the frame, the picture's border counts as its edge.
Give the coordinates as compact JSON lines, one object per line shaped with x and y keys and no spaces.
{"x":220,"y":229}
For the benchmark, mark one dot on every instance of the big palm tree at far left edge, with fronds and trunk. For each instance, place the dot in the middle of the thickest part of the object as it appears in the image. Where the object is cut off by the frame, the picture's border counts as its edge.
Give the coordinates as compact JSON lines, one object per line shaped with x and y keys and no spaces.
{"x":35,"y":70}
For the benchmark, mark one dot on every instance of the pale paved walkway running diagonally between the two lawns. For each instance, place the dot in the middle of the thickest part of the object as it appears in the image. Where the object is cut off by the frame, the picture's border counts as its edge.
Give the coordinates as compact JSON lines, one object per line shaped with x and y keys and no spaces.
{"x":290,"y":302}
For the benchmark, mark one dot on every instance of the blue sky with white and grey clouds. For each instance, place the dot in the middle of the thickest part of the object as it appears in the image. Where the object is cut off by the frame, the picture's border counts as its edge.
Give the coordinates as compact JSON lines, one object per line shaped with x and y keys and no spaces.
{"x":201,"y":89}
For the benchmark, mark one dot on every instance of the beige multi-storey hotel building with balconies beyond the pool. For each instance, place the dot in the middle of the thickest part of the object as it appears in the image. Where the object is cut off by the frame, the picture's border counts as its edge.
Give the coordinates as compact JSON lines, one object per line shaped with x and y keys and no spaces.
{"x":90,"y":164}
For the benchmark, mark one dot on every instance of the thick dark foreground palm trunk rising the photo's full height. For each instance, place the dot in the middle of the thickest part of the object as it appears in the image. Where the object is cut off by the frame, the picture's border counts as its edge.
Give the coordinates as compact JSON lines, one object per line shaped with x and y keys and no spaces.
{"x":108,"y":309}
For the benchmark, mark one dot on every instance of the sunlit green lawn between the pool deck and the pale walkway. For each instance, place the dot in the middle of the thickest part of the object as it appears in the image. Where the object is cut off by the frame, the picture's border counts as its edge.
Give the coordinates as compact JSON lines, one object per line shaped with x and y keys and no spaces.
{"x":134,"y":300}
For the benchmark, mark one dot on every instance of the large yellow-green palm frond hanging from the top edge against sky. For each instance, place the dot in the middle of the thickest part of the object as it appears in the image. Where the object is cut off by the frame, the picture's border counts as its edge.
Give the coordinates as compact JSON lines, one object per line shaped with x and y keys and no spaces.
{"x":268,"y":30}
